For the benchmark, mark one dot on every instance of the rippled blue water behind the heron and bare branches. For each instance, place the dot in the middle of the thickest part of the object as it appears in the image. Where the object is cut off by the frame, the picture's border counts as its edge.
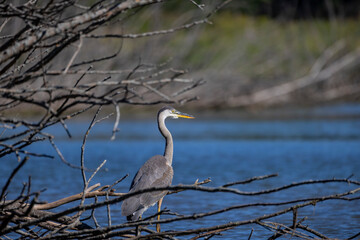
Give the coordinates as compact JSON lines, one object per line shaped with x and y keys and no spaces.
{"x":225,"y":151}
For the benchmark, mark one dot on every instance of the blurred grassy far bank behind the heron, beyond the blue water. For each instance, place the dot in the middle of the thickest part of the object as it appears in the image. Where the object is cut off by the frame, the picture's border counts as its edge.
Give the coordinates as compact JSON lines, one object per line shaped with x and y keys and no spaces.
{"x":238,"y":56}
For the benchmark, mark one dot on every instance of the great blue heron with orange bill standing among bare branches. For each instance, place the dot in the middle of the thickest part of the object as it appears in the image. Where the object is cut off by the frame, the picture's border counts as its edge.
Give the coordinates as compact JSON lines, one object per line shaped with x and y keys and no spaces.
{"x":156,"y":172}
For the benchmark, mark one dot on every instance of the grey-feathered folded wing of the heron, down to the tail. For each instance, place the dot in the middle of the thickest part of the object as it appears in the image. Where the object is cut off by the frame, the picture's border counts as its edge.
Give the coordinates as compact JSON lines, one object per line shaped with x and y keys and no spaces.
{"x":154,"y":173}
